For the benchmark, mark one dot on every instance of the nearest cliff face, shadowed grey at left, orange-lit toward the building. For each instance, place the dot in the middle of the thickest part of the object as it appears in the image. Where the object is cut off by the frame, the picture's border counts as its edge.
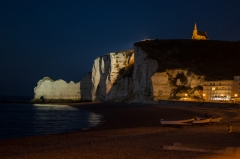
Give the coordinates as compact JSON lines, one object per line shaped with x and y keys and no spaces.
{"x":151,"y":84}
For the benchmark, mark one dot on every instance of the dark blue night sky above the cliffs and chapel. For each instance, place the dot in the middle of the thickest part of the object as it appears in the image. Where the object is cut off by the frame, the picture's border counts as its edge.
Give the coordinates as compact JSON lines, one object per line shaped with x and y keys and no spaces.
{"x":60,"y":38}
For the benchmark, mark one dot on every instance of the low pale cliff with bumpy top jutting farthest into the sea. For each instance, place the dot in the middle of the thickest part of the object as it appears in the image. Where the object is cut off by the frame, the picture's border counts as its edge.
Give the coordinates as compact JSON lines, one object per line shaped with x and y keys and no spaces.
{"x":58,"y":90}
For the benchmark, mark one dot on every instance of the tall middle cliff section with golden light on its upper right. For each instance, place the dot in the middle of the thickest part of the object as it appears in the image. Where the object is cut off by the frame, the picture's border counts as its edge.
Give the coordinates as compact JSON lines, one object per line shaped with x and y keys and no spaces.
{"x":111,"y":76}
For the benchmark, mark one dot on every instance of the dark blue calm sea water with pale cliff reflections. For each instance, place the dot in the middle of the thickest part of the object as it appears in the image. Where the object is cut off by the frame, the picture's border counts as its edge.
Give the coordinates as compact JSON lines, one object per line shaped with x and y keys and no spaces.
{"x":22,"y":120}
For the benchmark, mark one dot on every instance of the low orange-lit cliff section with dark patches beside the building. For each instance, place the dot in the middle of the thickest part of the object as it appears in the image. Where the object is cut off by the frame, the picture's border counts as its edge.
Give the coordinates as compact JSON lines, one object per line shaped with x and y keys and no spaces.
{"x":177,"y":84}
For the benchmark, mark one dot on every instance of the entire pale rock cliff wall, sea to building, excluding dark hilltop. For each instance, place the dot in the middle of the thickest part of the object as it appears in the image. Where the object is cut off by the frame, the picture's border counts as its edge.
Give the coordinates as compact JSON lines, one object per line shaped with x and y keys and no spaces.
{"x":125,"y":76}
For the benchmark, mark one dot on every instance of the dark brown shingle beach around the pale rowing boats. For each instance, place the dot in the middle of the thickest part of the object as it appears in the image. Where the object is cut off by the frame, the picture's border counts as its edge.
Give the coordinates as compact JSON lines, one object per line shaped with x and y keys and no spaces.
{"x":134,"y":131}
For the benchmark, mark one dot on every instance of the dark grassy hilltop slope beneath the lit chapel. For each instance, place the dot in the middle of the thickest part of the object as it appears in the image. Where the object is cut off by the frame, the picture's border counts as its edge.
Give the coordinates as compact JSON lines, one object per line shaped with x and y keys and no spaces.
{"x":214,"y":59}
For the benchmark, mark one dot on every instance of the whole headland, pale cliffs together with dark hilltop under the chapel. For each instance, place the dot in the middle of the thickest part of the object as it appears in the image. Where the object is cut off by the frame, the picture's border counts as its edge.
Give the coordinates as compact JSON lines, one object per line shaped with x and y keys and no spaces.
{"x":154,"y":70}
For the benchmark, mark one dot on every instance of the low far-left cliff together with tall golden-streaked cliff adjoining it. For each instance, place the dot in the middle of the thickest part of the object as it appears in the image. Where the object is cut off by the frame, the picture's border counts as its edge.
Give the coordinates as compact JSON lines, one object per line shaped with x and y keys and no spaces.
{"x":110,"y":80}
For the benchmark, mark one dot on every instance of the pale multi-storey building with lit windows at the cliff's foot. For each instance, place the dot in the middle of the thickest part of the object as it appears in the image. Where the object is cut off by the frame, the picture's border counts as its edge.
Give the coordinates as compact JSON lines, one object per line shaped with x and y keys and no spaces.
{"x":222,"y":90}
